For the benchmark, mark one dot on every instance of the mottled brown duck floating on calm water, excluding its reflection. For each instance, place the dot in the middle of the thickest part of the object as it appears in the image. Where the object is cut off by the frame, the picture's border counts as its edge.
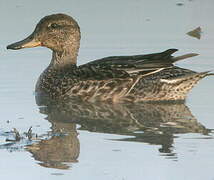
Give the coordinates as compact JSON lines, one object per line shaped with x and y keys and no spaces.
{"x":134,"y":78}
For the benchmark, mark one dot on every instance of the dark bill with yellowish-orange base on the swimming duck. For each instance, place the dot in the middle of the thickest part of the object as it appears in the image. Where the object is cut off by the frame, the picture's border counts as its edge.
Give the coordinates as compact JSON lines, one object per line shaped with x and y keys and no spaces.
{"x":29,"y":42}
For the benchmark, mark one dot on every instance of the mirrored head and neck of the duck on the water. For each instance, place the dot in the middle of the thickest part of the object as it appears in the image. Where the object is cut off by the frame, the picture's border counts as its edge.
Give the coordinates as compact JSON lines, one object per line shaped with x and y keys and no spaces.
{"x":63,"y":147}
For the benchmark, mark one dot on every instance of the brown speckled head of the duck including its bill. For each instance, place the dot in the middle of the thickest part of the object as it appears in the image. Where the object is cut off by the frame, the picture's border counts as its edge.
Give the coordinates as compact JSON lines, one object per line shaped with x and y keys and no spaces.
{"x":58,"y":32}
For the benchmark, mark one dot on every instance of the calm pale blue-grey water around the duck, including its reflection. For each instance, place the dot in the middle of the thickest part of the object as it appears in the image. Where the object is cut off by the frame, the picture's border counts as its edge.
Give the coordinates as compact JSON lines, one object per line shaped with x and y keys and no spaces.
{"x":93,"y":141}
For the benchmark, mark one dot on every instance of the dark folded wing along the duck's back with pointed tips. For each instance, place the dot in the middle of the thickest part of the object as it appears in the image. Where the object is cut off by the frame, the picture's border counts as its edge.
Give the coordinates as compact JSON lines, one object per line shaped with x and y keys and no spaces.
{"x":138,"y":64}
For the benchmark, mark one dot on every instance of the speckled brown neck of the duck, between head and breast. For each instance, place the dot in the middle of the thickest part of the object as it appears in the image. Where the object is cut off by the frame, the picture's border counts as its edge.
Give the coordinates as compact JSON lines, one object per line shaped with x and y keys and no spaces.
{"x":64,"y":58}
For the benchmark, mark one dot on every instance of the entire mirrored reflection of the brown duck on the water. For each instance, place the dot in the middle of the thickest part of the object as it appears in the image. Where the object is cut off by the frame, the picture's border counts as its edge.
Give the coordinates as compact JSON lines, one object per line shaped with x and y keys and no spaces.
{"x":156,"y":123}
